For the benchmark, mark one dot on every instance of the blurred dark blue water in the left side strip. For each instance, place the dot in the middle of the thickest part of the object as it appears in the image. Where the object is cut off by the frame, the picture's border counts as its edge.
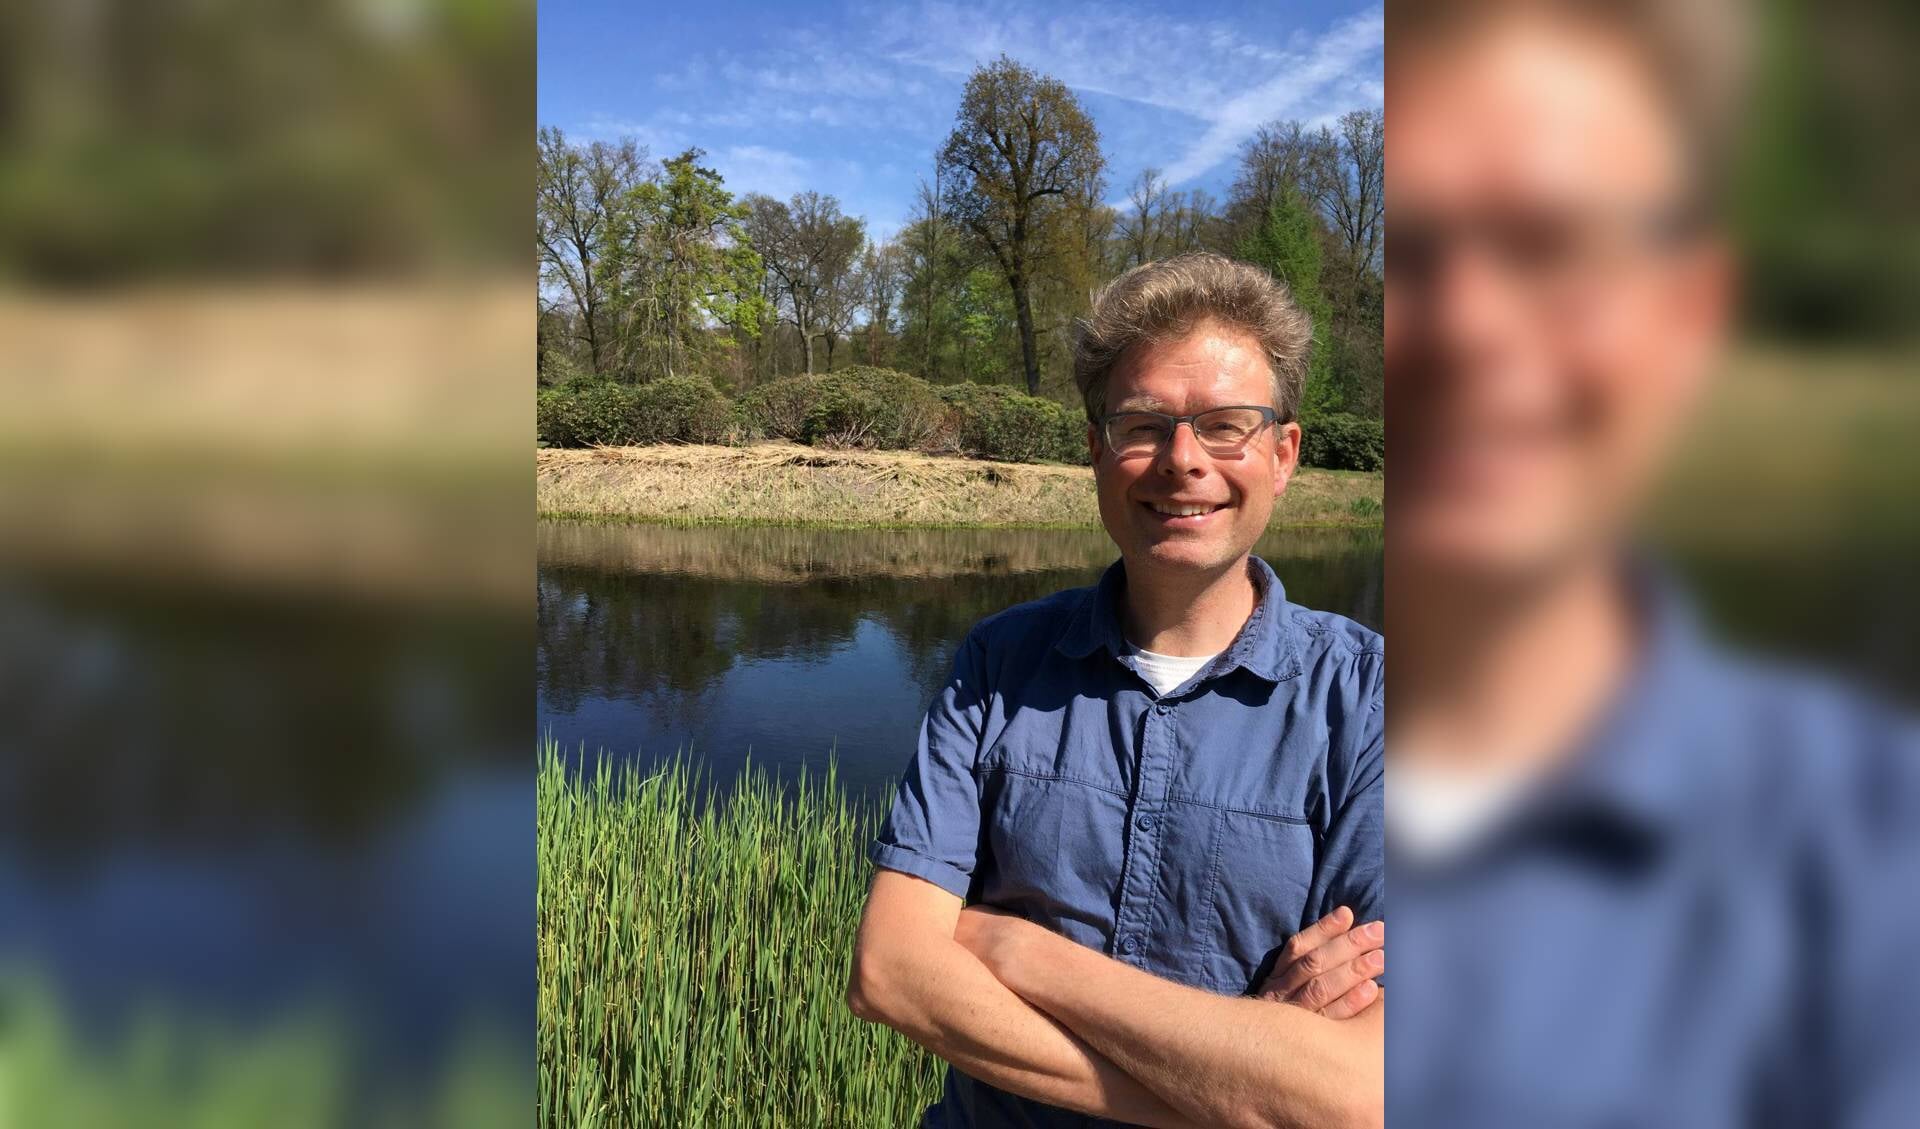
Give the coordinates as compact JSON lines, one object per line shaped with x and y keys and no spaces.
{"x":262,"y":802}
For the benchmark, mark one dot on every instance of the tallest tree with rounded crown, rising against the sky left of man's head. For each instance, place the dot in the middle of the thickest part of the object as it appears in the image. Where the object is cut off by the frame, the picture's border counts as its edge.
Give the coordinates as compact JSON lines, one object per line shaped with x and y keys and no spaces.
{"x":1020,"y":151}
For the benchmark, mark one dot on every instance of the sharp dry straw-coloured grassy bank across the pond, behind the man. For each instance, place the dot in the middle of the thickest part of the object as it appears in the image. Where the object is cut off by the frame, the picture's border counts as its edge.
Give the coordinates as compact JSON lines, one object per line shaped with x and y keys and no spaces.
{"x":784,"y":483}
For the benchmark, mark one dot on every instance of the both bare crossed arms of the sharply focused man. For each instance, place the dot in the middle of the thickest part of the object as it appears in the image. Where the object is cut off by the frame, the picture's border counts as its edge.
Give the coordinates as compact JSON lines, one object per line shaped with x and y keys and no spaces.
{"x":1032,"y":1013}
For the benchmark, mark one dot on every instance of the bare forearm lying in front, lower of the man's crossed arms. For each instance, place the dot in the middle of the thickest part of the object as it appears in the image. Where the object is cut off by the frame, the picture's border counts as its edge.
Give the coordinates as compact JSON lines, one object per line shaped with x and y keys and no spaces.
{"x":1220,"y":1061}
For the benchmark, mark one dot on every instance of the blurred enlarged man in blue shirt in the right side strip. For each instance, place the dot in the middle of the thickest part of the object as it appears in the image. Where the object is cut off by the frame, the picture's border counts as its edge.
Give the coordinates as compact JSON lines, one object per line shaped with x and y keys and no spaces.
{"x":1637,"y":880}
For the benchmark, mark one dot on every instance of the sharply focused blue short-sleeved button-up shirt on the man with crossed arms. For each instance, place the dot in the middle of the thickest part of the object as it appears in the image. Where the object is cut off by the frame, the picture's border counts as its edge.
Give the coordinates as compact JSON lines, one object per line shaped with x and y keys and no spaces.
{"x":1186,"y":834}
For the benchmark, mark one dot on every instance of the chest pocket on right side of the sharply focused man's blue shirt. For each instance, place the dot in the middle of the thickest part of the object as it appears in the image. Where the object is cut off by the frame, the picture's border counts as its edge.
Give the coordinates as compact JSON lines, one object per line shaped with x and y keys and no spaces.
{"x":1257,"y":894}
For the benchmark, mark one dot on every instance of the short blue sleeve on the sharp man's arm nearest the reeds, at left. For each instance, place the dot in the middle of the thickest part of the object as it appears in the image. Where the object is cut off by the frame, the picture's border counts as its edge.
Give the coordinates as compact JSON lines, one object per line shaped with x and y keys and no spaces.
{"x":934,"y":827}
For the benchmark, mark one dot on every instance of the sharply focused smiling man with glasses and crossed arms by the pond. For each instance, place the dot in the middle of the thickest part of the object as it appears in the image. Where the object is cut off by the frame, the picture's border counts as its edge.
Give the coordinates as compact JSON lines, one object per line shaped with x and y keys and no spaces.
{"x":1140,"y":790}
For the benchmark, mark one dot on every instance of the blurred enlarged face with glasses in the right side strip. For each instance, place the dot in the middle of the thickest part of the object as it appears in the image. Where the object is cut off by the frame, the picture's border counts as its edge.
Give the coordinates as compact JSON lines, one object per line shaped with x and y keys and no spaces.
{"x":1550,"y":312}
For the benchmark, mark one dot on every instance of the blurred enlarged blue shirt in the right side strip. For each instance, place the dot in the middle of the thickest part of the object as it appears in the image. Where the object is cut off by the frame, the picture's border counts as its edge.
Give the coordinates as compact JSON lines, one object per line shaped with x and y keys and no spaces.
{"x":1706,"y":921}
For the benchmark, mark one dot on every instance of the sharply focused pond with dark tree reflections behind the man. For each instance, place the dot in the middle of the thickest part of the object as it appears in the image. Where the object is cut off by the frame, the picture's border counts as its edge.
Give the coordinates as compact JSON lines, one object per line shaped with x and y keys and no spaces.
{"x":796,"y":646}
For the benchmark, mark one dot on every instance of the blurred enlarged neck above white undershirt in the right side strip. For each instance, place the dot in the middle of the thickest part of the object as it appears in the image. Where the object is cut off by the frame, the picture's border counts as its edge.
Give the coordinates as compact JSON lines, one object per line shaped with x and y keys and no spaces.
{"x":1504,"y":677}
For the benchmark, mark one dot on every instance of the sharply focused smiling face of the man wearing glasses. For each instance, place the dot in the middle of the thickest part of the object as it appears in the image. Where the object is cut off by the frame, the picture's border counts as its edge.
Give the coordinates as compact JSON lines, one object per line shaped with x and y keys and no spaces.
{"x":1147,"y":500}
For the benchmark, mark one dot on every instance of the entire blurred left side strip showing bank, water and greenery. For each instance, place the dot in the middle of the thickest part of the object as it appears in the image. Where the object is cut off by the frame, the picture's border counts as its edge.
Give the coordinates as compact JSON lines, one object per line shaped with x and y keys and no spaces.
{"x":266,"y":796}
